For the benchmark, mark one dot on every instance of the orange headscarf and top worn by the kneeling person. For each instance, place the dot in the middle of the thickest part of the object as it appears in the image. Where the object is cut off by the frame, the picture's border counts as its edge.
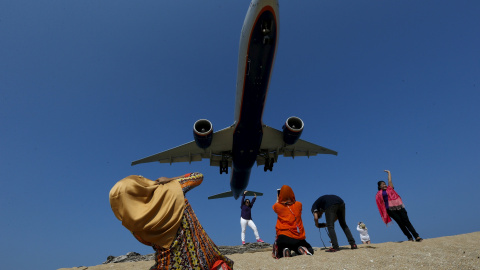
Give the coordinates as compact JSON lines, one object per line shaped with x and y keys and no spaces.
{"x":289,"y":214}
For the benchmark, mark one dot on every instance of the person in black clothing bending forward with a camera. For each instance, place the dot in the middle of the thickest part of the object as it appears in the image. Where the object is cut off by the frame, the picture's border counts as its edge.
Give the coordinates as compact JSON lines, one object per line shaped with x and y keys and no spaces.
{"x":334,"y":208}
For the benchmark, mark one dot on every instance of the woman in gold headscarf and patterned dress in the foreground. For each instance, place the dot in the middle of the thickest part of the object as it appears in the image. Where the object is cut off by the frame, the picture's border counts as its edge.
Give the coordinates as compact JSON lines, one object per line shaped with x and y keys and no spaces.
{"x":158,"y":215}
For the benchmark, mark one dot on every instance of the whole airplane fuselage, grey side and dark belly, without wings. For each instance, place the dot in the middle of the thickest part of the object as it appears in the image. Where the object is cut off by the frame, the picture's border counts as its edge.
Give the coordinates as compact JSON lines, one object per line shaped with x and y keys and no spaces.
{"x":258,"y":43}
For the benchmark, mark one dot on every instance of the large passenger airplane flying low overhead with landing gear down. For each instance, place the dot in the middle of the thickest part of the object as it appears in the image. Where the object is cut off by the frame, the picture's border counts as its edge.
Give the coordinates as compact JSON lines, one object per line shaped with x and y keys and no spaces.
{"x":247,"y":140}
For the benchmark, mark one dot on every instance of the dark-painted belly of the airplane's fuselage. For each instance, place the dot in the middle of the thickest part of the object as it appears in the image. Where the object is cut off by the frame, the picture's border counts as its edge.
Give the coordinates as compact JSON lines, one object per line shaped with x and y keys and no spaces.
{"x":248,"y":133}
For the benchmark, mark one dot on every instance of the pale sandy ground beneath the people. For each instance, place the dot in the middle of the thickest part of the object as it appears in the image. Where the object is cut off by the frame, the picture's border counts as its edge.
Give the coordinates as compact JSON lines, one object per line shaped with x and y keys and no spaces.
{"x":450,"y":252}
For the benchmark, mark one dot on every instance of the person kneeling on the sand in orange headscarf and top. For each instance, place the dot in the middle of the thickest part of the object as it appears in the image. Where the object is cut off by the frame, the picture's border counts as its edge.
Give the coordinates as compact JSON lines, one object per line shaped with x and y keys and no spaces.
{"x":290,"y":231}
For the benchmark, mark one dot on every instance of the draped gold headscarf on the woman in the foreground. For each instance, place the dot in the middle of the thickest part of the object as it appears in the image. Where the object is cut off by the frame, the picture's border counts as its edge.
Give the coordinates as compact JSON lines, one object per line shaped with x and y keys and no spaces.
{"x":149,"y":210}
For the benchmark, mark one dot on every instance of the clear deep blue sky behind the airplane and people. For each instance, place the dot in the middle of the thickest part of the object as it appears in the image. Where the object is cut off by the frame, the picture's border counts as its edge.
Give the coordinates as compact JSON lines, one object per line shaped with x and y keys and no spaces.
{"x":86,"y":87}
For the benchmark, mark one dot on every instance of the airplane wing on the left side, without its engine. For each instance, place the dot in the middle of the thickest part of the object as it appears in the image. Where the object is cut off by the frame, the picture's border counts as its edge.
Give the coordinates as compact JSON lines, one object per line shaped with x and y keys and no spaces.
{"x":221,"y":145}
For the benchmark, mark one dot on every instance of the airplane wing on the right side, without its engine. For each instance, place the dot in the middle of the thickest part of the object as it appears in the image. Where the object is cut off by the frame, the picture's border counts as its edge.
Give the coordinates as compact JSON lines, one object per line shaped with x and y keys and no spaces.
{"x":272,"y":143}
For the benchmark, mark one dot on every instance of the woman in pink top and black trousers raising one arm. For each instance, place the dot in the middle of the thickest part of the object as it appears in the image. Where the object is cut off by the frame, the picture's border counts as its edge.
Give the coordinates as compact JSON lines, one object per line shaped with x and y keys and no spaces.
{"x":391,"y":206}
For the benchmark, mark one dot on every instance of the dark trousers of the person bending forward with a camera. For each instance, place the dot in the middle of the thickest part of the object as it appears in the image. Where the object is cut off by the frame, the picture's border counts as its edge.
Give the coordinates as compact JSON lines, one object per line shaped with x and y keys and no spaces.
{"x":337,"y":211}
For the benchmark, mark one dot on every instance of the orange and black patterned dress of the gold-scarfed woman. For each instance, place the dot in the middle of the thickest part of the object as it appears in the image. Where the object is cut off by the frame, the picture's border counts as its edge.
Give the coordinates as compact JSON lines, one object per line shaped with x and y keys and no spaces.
{"x":192,"y":247}
